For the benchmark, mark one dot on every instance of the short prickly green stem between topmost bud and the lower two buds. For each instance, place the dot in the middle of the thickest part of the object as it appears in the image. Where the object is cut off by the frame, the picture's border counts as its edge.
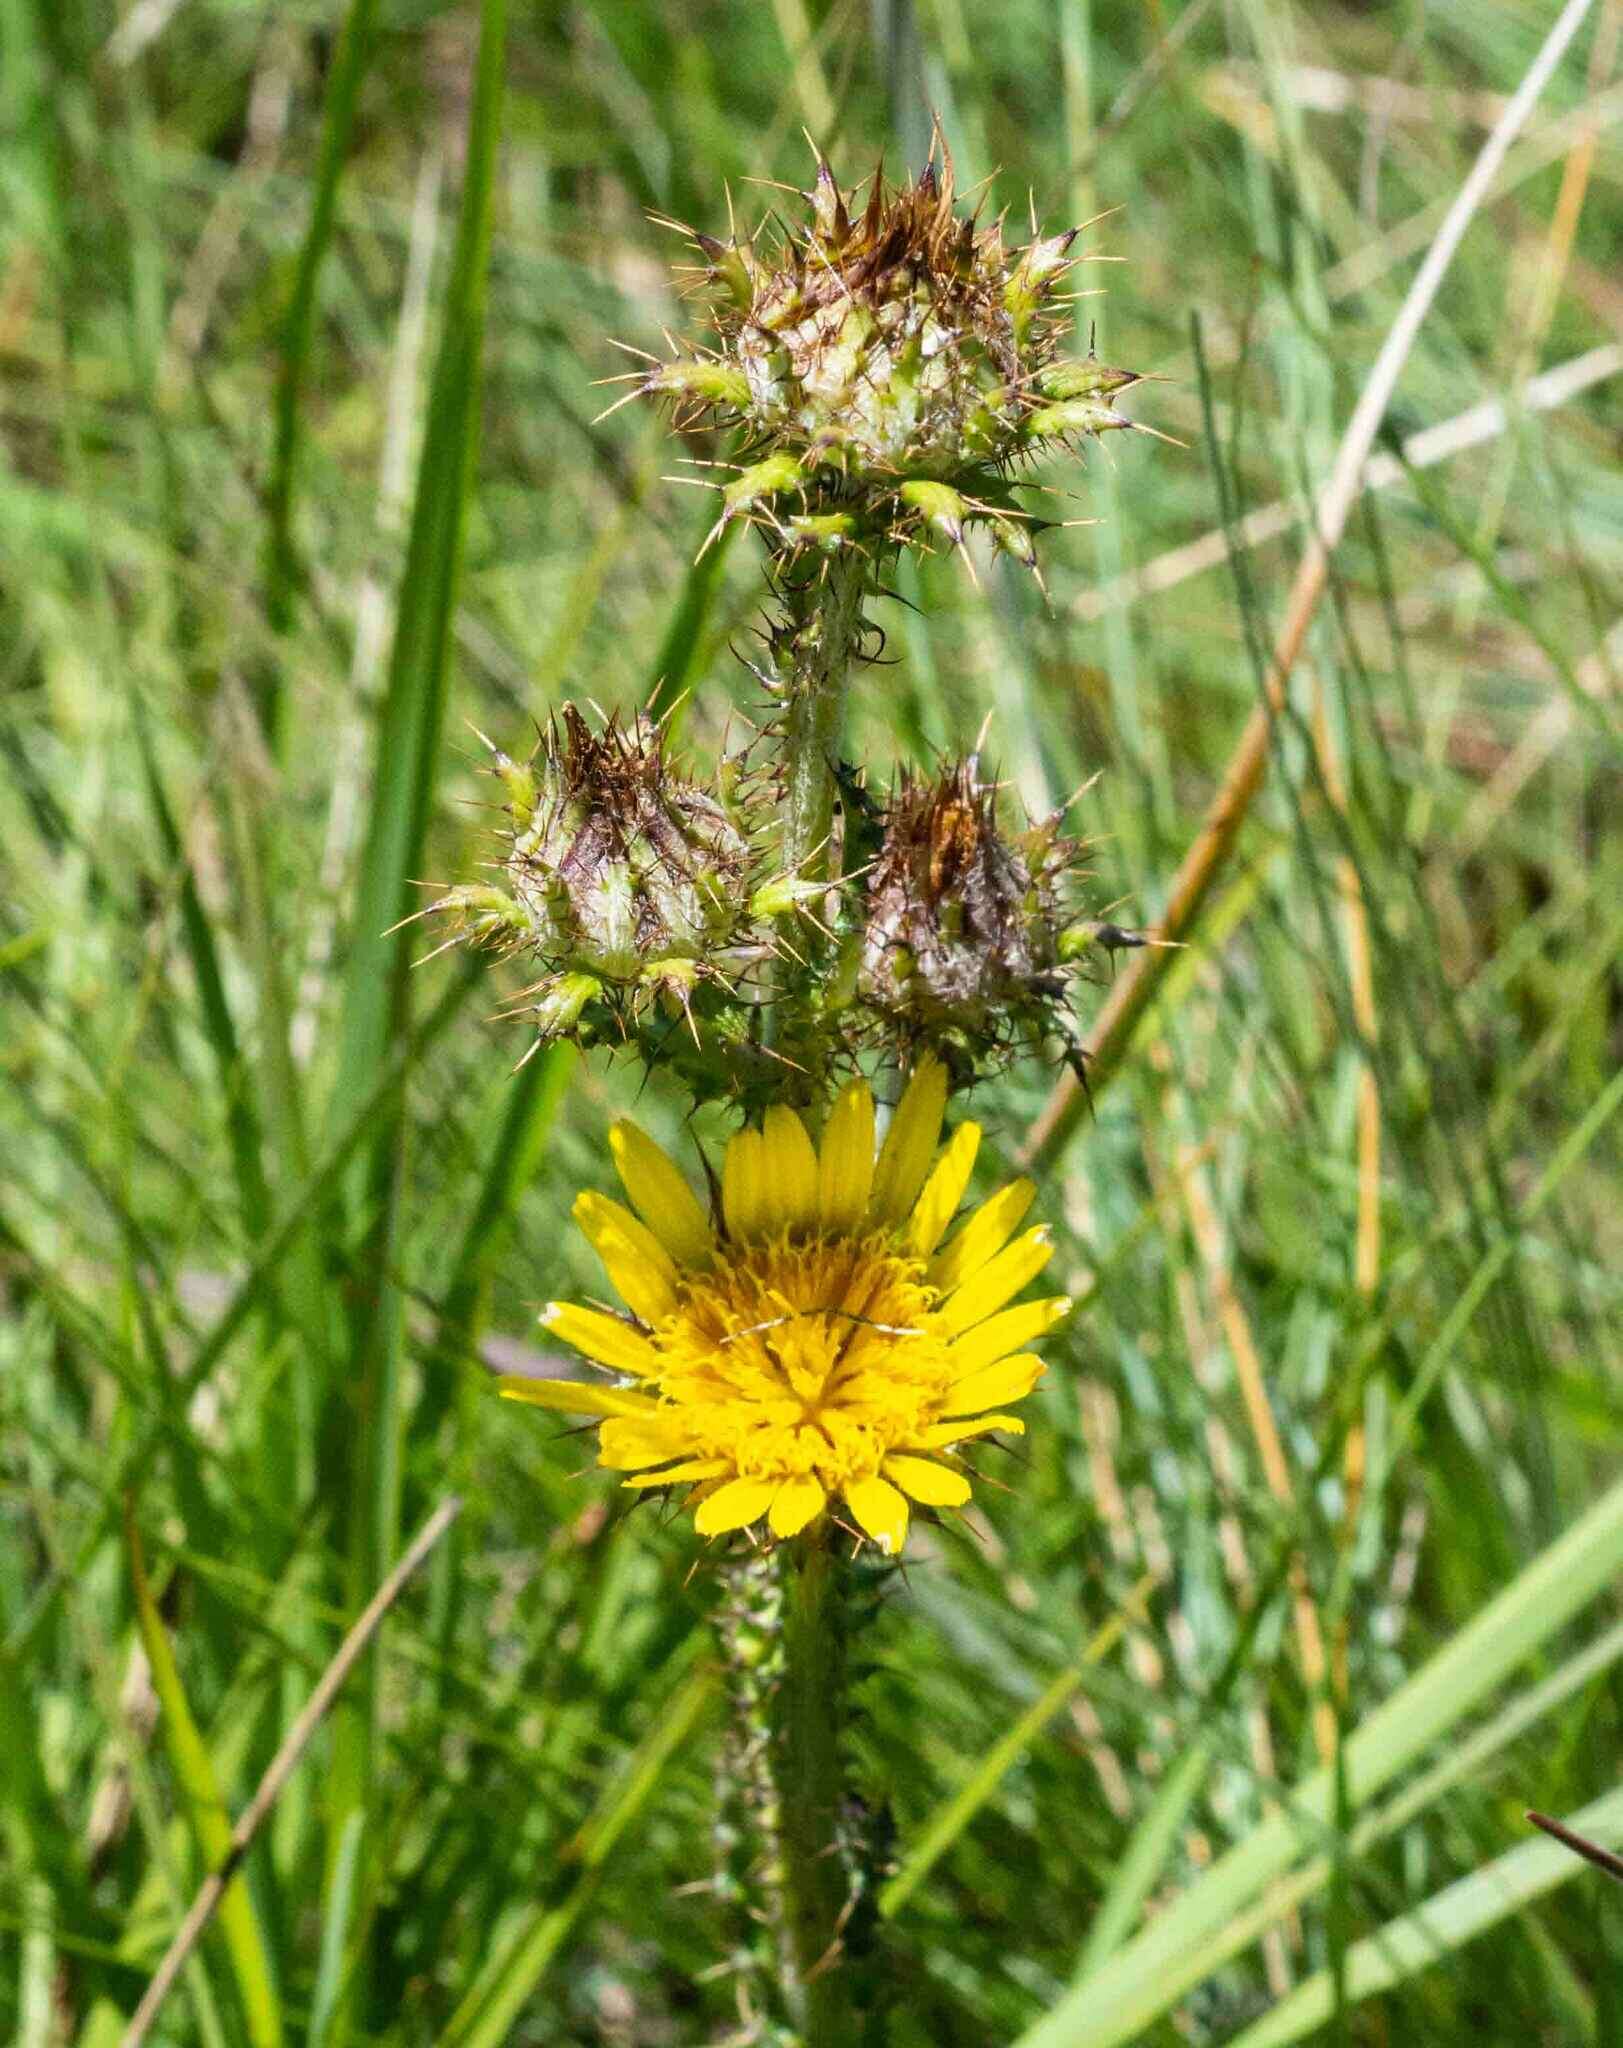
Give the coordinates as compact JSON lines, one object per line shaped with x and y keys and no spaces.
{"x":815,"y":650}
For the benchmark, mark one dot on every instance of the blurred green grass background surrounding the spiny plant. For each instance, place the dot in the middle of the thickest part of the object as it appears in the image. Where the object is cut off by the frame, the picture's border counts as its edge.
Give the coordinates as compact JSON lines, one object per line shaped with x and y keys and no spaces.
{"x":298,"y":312}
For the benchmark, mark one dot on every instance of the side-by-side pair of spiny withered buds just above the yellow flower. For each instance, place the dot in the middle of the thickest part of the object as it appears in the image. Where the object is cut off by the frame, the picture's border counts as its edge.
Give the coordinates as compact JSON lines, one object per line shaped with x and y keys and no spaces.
{"x":657,"y":921}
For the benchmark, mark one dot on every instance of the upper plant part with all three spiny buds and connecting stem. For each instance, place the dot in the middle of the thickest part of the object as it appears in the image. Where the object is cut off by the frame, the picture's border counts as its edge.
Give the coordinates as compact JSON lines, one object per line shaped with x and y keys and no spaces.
{"x":888,"y":370}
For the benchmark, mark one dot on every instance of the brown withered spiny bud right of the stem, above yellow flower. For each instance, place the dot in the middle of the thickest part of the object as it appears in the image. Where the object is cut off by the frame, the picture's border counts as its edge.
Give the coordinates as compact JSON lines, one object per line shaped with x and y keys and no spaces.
{"x":968,"y":943}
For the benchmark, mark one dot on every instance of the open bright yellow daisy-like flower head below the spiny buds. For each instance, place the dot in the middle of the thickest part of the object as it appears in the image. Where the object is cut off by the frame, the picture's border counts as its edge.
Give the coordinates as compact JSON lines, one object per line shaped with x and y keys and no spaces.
{"x":819,"y":1342}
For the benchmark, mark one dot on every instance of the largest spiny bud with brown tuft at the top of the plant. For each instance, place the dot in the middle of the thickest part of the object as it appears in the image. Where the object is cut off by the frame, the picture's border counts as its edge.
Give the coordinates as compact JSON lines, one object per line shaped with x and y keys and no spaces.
{"x":886,"y":368}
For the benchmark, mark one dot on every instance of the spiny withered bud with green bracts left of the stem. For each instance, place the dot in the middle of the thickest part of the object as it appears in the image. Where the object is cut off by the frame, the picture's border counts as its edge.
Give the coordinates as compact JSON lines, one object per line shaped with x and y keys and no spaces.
{"x":630,"y":884}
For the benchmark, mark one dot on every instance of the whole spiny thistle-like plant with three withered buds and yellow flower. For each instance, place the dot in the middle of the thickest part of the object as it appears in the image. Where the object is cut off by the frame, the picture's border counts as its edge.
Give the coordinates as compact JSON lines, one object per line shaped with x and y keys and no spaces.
{"x":815,"y":1351}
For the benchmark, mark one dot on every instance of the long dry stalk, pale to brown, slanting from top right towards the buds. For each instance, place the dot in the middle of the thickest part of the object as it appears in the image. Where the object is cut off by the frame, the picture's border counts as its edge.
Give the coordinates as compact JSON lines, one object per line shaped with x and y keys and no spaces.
{"x":1237,"y":792}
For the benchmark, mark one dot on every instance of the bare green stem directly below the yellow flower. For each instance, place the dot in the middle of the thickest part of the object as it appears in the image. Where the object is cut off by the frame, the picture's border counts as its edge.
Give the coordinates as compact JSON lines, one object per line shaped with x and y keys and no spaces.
{"x":808,"y":1773}
